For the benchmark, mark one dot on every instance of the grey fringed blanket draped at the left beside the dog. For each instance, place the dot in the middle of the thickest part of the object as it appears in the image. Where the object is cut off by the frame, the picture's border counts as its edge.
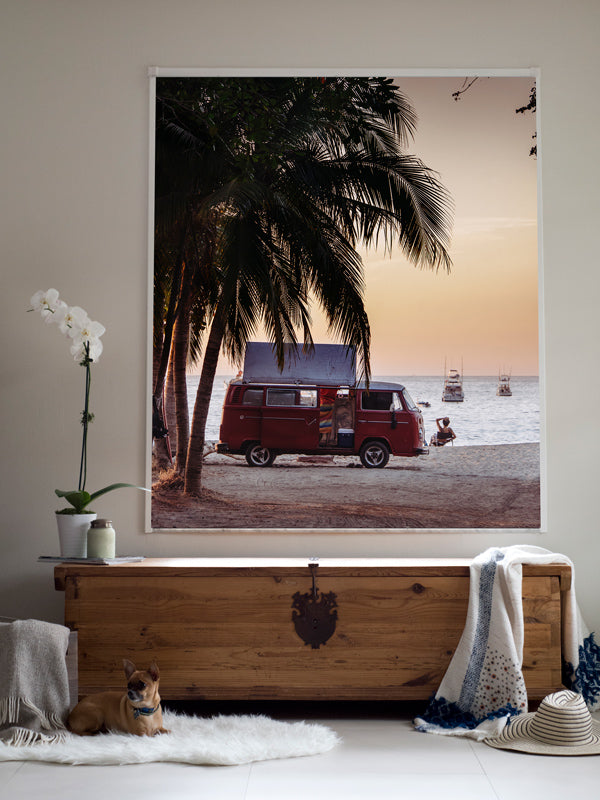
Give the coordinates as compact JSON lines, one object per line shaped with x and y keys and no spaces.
{"x":34,"y":685}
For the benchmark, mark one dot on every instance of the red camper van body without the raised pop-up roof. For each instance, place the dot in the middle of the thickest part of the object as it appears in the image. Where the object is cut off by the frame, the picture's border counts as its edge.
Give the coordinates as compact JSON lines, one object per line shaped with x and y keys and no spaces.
{"x":263,"y":420}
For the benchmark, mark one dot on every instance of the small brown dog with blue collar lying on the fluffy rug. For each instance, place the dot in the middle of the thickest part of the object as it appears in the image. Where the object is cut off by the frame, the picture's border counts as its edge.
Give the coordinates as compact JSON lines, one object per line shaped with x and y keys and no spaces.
{"x":137,"y":711}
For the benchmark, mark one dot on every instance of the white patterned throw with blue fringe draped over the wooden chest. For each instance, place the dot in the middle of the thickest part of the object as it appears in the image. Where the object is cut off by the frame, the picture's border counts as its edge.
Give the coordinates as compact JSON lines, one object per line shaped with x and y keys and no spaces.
{"x":483,"y":686}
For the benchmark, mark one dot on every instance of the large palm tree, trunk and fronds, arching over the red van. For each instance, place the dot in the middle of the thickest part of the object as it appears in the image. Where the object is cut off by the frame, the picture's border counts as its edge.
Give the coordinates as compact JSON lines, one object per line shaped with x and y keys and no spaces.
{"x":306,"y":170}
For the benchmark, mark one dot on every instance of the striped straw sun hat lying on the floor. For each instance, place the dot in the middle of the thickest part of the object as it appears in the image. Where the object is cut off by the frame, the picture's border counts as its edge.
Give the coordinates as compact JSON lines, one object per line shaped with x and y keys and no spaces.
{"x":562,"y":726}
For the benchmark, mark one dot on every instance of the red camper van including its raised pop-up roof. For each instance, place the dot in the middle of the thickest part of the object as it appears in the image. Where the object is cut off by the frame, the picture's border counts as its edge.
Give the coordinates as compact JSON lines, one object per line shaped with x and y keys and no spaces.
{"x":315,"y":406}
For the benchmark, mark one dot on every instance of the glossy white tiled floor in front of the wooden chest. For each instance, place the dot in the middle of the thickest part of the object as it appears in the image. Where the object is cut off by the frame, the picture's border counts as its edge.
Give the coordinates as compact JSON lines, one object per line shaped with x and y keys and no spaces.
{"x":381,"y":757}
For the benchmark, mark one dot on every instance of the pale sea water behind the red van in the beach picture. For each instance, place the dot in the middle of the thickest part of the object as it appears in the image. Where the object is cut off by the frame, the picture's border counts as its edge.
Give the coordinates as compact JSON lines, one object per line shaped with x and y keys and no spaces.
{"x":483,"y":418}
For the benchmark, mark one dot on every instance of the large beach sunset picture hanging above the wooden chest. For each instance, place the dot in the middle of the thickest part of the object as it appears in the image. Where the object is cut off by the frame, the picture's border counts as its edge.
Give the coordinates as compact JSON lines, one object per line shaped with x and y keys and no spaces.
{"x":345,"y":306}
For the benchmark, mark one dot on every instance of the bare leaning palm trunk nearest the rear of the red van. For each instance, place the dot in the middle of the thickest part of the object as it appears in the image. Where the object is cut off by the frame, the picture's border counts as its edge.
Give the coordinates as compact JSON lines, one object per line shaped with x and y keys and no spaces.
{"x":195,"y":454}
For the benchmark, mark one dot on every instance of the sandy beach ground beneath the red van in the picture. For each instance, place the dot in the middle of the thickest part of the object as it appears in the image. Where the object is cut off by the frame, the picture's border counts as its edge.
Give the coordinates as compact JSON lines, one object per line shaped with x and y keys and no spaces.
{"x":452,"y":487}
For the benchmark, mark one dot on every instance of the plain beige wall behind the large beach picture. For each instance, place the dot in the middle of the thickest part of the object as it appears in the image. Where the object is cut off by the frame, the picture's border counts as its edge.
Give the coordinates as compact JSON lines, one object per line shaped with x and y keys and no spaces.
{"x":74,"y":183}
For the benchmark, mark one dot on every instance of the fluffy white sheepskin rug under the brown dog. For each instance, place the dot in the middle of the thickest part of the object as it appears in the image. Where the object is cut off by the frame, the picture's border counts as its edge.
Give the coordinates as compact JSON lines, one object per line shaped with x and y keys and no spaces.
{"x":222,"y":740}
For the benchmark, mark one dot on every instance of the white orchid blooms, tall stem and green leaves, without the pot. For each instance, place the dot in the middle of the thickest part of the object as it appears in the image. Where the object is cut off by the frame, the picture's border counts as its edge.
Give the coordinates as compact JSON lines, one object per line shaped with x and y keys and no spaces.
{"x":86,"y":347}
